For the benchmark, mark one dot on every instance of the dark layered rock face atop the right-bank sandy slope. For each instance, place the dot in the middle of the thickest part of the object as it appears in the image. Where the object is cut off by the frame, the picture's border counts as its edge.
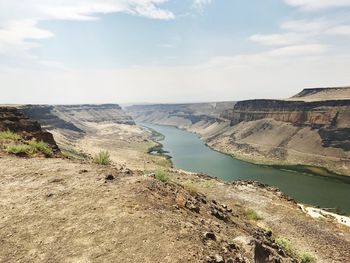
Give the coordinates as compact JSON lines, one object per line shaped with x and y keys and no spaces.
{"x":330,"y":118}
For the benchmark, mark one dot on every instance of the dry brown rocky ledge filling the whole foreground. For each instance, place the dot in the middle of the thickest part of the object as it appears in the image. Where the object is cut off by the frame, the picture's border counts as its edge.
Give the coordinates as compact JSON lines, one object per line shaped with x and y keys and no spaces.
{"x":55,"y":210}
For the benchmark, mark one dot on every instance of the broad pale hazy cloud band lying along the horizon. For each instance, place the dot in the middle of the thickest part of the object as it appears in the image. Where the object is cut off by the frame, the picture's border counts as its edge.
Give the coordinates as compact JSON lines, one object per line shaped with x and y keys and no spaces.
{"x":260,"y":75}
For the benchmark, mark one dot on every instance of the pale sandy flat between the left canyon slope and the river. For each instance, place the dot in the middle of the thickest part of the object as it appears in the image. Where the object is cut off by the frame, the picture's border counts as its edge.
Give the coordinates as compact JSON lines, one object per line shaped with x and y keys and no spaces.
{"x":127,"y":144}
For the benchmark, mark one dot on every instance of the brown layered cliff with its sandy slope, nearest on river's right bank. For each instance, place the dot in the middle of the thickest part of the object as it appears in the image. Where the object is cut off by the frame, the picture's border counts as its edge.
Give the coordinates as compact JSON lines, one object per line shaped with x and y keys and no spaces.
{"x":289,"y":132}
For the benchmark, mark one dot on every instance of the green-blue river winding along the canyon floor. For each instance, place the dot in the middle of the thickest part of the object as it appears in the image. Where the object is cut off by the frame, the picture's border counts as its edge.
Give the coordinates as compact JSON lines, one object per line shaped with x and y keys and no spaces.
{"x":189,"y":152}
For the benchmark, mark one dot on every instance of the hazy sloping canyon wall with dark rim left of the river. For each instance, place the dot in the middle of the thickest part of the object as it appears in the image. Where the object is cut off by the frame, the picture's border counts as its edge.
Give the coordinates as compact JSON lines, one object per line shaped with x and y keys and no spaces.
{"x":78,"y":129}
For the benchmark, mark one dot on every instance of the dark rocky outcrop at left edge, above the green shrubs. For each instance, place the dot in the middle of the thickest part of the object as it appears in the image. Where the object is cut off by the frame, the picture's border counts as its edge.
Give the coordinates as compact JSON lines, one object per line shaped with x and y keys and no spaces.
{"x":14,"y":120}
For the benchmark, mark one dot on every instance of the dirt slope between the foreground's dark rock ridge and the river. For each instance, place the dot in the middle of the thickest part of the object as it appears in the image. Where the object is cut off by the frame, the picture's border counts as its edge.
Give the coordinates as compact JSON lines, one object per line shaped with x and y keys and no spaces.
{"x":326,"y":239}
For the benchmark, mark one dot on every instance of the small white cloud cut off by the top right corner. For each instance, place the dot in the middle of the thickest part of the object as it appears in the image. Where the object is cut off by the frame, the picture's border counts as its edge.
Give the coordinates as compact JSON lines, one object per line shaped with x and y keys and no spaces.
{"x":312,"y":5}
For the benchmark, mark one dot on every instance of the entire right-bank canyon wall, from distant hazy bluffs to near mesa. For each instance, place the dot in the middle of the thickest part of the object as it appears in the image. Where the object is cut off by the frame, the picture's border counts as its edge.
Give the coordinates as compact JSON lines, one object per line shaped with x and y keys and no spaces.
{"x":312,"y":130}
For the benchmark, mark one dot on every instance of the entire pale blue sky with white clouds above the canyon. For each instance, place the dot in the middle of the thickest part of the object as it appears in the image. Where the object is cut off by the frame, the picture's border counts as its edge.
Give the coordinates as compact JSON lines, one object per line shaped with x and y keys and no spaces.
{"x":168,"y":51}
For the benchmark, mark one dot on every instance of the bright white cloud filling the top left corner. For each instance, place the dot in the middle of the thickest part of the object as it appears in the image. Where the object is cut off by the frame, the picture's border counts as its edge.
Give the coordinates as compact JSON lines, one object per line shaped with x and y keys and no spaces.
{"x":19,"y":19}
